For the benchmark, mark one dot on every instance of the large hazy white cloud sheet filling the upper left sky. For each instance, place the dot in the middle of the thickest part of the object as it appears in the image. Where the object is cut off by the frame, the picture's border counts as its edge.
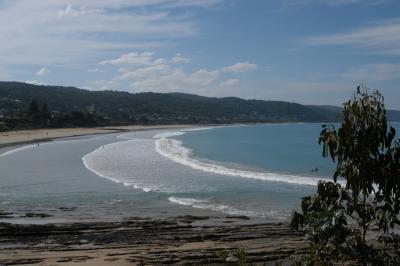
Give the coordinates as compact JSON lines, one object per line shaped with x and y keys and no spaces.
{"x":77,"y":32}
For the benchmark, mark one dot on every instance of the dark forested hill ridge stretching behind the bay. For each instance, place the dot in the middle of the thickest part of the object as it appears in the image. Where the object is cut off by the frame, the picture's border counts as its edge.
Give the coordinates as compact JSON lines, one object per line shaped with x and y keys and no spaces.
{"x":115,"y":107}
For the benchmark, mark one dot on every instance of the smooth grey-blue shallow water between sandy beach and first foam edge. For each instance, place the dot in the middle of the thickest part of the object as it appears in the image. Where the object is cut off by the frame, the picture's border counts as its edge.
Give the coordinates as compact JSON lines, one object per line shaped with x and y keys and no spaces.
{"x":51,"y":178}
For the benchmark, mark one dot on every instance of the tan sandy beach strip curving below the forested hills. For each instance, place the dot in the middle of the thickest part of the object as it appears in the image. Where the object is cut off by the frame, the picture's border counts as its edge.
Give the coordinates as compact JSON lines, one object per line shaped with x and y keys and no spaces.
{"x":10,"y":138}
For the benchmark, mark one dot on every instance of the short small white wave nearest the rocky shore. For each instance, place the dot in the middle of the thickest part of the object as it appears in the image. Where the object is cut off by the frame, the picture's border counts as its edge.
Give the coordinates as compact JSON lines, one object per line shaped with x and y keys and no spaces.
{"x":207,"y":205}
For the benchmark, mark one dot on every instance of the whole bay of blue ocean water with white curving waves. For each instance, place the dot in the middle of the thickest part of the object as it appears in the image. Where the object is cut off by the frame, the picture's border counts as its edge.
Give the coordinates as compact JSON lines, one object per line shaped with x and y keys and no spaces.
{"x":253,"y":170}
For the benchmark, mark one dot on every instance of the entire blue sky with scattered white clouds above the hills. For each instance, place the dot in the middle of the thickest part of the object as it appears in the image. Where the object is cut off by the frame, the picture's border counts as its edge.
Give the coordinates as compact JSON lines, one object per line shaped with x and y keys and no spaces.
{"x":305,"y":51}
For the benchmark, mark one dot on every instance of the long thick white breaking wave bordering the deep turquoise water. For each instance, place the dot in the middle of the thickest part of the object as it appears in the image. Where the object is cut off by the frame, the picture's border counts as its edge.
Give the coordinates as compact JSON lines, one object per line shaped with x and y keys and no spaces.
{"x":173,"y":149}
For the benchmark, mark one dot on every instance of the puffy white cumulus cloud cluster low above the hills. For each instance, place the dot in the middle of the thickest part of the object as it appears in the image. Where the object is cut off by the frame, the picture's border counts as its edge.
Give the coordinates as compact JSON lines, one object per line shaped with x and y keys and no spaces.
{"x":145,"y":72}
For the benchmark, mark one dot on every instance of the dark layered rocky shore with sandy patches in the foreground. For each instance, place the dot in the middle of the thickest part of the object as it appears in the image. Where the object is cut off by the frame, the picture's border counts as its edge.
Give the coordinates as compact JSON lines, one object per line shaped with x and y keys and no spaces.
{"x":182,"y":240}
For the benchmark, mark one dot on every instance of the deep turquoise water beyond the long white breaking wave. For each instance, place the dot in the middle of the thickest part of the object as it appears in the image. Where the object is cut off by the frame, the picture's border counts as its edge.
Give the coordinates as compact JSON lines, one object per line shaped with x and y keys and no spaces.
{"x":285,"y":148}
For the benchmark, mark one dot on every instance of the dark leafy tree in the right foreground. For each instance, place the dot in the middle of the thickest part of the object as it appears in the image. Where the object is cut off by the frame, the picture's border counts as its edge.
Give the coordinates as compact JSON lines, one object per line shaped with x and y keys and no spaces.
{"x":338,"y":218}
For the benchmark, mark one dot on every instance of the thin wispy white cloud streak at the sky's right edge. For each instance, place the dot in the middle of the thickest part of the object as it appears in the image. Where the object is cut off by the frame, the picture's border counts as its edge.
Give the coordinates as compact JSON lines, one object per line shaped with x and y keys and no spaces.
{"x":381,"y":37}
